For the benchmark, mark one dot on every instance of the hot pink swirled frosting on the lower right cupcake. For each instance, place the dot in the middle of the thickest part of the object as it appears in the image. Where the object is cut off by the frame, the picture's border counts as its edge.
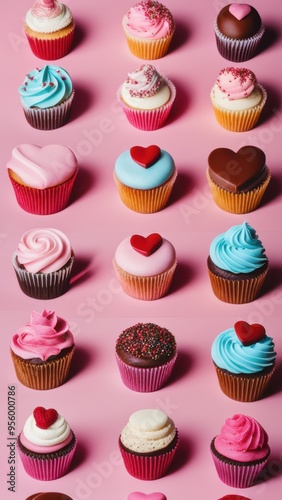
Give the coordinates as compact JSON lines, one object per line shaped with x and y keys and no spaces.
{"x":242,"y":438}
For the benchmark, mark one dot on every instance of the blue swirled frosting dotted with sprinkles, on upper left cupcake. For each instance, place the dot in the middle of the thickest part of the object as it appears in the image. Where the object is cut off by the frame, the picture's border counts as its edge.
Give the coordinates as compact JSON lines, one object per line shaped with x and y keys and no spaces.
{"x":45,"y":87}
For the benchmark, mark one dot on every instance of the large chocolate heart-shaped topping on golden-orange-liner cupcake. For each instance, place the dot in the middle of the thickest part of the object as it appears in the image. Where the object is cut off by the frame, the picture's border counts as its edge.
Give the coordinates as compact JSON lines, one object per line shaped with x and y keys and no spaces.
{"x":236,"y":171}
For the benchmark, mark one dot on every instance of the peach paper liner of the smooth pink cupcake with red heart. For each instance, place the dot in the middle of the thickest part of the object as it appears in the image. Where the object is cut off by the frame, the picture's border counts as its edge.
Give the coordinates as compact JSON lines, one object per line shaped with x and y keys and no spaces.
{"x":145,"y":287}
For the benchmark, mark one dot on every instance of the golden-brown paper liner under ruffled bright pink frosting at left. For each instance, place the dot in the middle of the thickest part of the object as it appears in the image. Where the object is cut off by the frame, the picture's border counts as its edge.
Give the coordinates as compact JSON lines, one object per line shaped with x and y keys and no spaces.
{"x":44,"y":376}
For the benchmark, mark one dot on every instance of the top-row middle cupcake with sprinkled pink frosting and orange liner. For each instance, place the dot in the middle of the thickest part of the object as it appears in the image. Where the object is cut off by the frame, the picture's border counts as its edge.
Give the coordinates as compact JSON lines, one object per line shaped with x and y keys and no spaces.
{"x":148,"y":27}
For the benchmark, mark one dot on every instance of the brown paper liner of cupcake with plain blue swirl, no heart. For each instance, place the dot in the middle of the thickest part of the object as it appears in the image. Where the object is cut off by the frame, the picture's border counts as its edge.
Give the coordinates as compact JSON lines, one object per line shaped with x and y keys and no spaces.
{"x":237,"y":291}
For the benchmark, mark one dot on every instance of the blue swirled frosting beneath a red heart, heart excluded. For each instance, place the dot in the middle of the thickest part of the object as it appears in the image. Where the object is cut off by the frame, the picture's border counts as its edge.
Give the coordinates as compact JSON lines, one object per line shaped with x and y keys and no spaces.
{"x":228,"y":353}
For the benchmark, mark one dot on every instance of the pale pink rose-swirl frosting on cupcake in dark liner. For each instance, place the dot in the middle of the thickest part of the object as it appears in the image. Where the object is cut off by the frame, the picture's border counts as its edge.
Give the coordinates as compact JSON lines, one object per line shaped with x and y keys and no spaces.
{"x":43,"y":250}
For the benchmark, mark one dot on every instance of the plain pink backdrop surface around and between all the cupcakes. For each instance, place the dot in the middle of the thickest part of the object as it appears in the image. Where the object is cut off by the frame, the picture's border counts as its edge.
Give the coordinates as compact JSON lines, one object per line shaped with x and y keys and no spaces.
{"x":94,"y":400}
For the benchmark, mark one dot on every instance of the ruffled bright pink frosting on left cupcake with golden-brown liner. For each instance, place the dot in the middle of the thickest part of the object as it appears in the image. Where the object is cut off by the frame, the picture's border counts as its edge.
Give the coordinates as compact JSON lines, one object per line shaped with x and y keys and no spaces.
{"x":45,"y":335}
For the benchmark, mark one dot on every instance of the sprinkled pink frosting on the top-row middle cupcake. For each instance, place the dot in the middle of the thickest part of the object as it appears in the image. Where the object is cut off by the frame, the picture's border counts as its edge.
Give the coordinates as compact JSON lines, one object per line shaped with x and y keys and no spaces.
{"x":149,"y":19}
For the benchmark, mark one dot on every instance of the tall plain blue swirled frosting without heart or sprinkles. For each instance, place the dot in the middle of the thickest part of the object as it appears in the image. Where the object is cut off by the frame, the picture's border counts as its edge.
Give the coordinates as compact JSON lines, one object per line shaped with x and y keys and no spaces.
{"x":238,"y":250}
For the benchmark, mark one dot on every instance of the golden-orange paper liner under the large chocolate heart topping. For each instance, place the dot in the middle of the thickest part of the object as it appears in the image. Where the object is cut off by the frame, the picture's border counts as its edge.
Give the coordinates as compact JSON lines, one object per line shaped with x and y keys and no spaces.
{"x":238,"y":203}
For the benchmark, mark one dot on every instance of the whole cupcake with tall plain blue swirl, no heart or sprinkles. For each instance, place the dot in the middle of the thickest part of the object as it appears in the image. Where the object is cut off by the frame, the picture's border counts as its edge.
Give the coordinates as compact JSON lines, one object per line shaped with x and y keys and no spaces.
{"x":237,"y":265}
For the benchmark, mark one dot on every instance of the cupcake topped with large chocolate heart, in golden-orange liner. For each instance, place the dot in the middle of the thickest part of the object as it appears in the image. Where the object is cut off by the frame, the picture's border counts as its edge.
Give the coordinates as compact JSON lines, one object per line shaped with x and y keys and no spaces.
{"x":238,"y":180}
